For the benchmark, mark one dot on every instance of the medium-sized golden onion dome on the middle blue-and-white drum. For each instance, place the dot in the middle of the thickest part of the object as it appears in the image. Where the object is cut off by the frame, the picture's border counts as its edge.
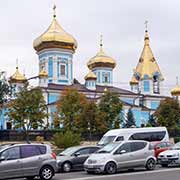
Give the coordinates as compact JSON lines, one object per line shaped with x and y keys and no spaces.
{"x":101,"y":59}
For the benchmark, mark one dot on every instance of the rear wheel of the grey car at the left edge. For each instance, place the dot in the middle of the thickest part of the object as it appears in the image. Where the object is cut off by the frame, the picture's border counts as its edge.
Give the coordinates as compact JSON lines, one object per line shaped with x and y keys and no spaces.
{"x":46,"y":173}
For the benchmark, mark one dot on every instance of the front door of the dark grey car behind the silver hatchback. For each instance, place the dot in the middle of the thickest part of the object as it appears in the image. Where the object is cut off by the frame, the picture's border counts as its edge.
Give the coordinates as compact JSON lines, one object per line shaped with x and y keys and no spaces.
{"x":80,"y":157}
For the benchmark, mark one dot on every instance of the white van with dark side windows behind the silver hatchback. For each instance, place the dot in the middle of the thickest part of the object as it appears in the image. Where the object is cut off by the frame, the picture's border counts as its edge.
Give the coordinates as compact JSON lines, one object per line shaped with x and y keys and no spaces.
{"x":147,"y":133}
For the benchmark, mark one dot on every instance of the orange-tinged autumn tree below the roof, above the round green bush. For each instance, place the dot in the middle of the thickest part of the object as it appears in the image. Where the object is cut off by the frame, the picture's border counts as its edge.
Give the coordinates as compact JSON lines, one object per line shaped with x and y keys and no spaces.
{"x":69,"y":109}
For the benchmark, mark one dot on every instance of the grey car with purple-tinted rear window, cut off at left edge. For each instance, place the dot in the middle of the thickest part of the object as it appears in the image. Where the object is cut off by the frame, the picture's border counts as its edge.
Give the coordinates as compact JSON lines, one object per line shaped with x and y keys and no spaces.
{"x":27,"y":160}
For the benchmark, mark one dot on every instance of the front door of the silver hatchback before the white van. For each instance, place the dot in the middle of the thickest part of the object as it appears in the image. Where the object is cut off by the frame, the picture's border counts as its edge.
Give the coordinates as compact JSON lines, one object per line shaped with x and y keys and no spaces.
{"x":122,"y":155}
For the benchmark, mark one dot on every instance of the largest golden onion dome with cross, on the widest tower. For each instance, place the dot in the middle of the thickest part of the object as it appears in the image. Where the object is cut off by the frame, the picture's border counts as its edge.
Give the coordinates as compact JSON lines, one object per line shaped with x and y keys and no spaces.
{"x":55,"y":37}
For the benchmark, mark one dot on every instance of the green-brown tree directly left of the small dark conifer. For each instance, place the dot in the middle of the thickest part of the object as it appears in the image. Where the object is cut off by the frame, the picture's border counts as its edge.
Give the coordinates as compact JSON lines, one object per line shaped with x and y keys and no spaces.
{"x":110,"y":106}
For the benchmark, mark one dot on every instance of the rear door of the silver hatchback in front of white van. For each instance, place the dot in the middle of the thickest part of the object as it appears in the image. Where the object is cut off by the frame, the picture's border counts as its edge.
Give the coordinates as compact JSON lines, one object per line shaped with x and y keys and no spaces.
{"x":138,"y":153}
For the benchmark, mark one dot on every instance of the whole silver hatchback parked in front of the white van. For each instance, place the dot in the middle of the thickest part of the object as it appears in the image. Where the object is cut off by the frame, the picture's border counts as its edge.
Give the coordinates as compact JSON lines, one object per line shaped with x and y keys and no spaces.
{"x":125,"y":154}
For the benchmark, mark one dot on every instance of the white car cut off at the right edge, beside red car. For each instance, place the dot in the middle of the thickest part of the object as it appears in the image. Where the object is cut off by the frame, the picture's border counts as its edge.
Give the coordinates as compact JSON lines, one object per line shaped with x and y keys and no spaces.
{"x":171,"y":156}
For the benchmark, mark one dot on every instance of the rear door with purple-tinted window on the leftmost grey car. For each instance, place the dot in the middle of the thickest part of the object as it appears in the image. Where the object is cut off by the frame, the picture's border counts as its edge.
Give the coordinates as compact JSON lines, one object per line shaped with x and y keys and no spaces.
{"x":31,"y":159}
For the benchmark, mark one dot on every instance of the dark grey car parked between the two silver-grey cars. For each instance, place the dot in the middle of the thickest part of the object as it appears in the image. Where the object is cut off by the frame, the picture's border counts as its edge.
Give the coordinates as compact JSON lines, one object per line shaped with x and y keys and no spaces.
{"x":74,"y":157}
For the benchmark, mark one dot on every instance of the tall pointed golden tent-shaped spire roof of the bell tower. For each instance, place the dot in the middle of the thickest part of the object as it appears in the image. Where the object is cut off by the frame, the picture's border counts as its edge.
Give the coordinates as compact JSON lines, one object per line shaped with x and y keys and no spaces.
{"x":147,"y":64}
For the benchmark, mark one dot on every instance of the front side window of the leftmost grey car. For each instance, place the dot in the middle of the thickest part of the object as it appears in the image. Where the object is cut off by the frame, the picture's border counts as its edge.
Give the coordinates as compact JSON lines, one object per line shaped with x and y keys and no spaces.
{"x":11,"y":153}
